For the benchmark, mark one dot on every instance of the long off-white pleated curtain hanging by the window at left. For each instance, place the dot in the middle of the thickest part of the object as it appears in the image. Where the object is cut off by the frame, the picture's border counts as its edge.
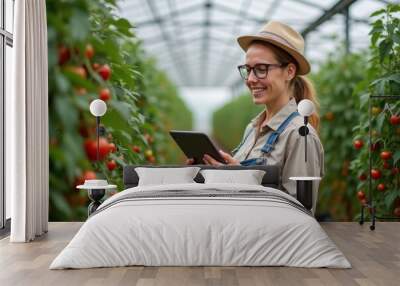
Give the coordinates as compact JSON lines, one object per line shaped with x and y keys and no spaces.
{"x":27,"y":152}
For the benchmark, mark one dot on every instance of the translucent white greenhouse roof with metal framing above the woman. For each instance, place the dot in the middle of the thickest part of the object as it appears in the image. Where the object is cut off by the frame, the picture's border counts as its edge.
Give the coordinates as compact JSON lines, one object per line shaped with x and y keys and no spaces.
{"x":195,"y":40}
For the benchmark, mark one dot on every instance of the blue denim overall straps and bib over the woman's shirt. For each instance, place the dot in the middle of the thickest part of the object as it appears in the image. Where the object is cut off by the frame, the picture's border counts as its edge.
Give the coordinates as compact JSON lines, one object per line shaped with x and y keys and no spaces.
{"x":269,"y":145}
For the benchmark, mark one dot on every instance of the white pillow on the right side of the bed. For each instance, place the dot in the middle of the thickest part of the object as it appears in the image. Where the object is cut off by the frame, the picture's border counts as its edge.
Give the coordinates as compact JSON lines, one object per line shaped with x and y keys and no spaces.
{"x":249,"y":177}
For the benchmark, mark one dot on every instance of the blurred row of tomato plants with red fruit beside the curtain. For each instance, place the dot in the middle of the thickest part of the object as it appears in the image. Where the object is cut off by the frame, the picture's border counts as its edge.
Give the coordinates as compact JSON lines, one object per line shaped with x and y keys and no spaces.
{"x":93,"y":53}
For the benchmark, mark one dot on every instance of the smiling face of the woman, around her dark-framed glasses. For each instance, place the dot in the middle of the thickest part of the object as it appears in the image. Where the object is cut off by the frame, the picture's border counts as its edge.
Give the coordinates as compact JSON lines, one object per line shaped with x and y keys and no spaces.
{"x":276,"y":85}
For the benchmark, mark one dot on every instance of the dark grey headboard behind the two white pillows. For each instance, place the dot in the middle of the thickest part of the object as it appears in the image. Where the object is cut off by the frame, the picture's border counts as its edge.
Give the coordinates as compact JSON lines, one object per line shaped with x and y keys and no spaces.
{"x":270,"y":179}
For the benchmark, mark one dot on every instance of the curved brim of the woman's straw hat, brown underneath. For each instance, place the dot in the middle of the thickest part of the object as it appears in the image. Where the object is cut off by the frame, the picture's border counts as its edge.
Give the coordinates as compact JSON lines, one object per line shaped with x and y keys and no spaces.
{"x":304,"y":66}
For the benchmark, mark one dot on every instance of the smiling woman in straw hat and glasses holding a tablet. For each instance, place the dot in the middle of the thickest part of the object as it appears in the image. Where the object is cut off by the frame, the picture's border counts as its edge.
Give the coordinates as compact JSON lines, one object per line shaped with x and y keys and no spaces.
{"x":273,"y":72}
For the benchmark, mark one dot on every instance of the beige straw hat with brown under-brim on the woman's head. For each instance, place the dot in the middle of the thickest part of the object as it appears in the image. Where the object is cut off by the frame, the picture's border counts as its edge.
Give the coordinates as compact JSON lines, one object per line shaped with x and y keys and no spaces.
{"x":282,"y":36}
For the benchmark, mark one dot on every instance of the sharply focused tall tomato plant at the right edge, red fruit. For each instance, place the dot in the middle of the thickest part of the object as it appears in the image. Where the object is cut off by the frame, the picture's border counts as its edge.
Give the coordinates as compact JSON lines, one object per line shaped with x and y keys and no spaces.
{"x":382,"y":78}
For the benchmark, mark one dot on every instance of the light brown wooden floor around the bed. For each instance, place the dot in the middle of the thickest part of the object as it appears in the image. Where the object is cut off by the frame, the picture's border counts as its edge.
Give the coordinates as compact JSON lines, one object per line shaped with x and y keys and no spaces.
{"x":374,"y":255}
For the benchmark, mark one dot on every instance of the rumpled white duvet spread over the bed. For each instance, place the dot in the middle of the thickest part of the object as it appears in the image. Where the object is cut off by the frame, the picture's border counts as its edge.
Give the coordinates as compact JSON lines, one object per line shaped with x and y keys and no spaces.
{"x":183,"y":231}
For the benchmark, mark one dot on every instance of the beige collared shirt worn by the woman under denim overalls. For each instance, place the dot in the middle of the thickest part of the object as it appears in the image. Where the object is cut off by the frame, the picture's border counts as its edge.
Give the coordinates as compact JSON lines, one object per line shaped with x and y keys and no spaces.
{"x":288,"y":151}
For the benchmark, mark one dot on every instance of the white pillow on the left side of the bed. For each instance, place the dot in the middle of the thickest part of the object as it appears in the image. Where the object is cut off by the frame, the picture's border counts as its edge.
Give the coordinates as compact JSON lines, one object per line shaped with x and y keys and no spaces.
{"x":162,"y":176}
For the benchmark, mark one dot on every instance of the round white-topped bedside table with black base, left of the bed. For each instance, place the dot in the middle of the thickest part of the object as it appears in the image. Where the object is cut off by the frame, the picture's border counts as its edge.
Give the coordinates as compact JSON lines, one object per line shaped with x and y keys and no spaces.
{"x":96,"y":190}
